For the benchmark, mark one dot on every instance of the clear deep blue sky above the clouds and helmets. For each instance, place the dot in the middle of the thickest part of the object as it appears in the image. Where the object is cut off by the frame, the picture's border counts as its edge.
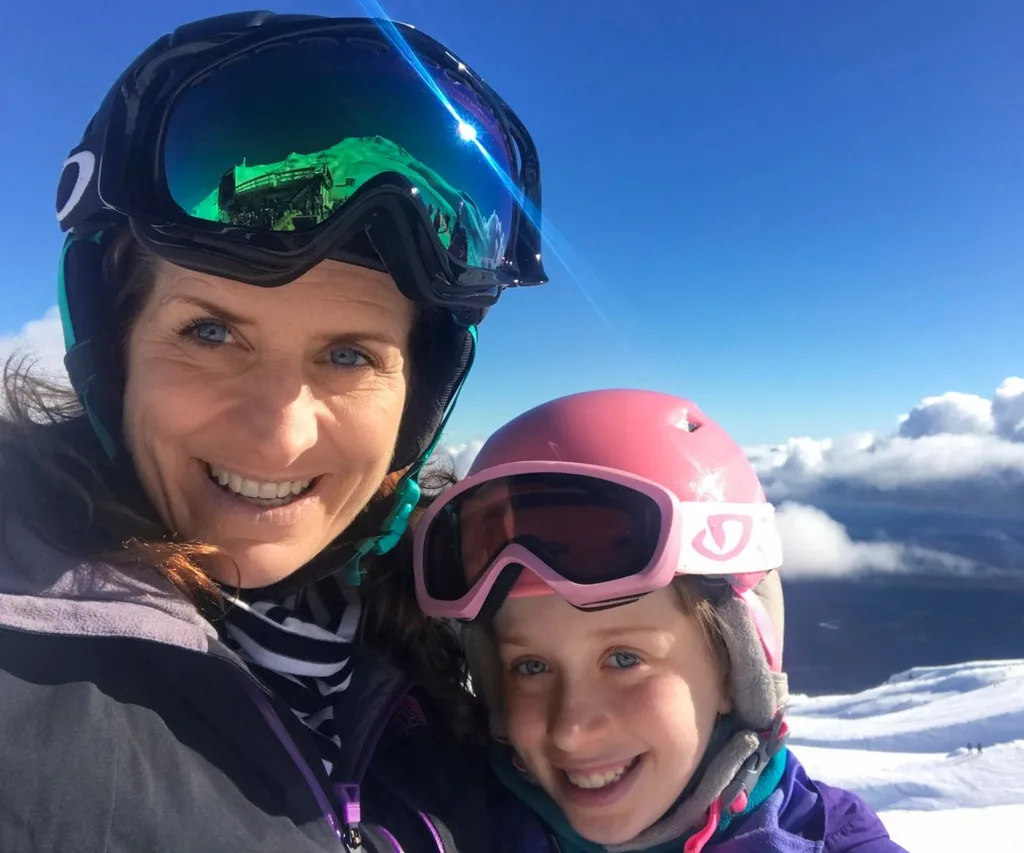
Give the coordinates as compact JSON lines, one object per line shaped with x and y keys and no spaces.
{"x":804,"y":216}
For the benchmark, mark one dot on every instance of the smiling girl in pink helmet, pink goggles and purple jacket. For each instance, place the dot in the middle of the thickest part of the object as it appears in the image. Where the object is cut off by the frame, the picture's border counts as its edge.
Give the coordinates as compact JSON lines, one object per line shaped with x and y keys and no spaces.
{"x":616,"y":564}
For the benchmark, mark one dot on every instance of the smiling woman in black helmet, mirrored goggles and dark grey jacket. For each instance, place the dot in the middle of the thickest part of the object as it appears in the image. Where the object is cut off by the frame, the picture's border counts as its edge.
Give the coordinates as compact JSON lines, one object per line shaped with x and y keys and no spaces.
{"x":282,"y":232}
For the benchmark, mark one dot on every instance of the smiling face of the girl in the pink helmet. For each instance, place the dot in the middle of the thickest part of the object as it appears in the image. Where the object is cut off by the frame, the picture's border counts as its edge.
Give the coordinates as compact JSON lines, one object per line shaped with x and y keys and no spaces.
{"x":611,"y":710}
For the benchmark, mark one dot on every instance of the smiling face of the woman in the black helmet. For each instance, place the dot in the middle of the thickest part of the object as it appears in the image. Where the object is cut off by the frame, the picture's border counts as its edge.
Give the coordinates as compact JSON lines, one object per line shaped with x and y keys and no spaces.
{"x":263,"y":420}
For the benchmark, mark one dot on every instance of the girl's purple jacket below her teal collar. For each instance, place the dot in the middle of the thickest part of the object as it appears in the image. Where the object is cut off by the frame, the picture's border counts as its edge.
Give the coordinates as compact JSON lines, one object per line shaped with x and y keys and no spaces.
{"x":804,"y":817}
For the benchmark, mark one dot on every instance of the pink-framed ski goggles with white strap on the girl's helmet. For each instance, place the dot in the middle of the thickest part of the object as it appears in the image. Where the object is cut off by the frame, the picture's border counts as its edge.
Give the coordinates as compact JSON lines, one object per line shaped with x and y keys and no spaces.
{"x":594,"y":536}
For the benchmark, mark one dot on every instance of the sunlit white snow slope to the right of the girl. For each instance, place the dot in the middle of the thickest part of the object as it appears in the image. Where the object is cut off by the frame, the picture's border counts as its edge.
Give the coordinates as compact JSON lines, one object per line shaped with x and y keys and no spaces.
{"x":904,"y":748}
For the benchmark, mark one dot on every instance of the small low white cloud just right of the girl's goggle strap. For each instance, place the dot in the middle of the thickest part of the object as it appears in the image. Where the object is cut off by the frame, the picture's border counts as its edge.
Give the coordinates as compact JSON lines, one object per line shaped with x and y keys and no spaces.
{"x":815,"y":545}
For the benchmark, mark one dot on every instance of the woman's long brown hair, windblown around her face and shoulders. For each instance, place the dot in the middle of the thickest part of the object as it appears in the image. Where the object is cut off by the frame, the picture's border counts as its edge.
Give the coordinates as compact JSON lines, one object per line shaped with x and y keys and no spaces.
{"x":55,"y":472}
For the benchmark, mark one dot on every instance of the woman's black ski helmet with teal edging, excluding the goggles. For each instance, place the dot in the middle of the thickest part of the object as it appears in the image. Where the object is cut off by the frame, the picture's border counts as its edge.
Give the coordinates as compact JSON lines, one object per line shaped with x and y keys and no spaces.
{"x":89,"y":300}
